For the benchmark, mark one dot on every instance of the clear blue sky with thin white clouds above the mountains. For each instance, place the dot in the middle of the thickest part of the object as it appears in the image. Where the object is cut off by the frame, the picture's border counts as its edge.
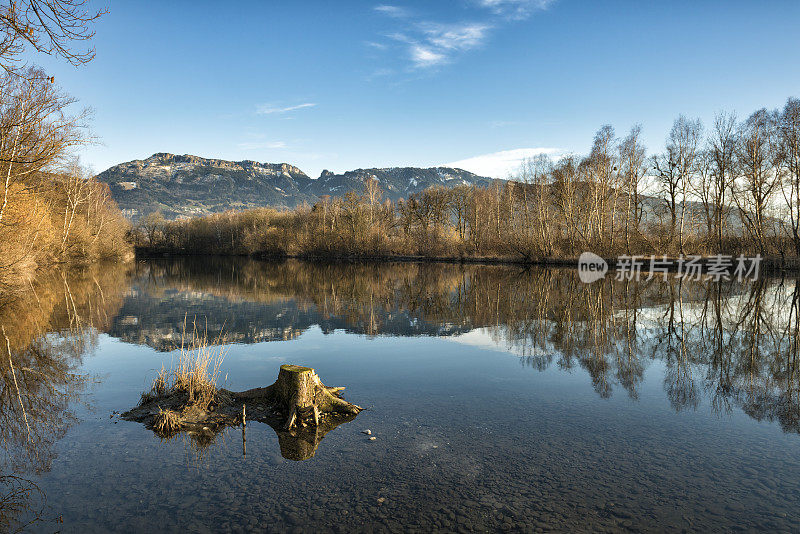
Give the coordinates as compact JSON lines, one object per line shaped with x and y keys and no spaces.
{"x":349,"y":84}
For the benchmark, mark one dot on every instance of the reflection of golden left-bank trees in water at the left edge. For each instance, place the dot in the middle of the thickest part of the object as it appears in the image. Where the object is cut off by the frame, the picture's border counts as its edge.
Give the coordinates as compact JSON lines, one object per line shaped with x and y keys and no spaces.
{"x":45,"y":332}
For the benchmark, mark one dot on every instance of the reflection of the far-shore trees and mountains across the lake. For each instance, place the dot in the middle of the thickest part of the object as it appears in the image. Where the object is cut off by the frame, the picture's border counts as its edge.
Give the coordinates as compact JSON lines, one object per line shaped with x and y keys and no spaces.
{"x":735,"y":342}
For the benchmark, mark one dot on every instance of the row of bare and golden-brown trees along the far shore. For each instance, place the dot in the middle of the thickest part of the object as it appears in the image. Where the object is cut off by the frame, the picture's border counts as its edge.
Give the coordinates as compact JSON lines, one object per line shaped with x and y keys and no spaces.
{"x":734,"y":189}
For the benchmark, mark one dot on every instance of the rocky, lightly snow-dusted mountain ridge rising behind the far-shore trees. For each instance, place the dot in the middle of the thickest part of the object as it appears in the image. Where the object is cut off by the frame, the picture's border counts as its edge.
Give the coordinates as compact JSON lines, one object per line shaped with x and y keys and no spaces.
{"x":185,"y":186}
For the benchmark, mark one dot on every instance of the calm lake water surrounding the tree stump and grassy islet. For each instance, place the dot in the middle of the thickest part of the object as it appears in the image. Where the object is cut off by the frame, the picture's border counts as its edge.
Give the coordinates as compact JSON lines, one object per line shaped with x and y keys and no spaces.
{"x":501,"y":398}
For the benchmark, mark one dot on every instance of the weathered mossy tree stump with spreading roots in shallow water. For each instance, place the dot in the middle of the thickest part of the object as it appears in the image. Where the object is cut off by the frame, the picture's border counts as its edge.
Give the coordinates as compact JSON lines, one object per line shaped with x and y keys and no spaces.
{"x":300,"y":394}
